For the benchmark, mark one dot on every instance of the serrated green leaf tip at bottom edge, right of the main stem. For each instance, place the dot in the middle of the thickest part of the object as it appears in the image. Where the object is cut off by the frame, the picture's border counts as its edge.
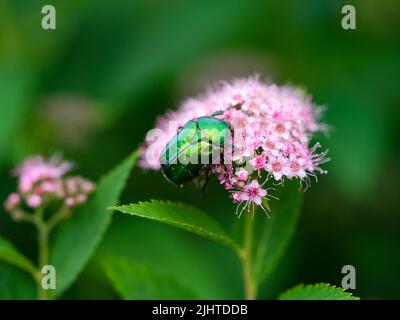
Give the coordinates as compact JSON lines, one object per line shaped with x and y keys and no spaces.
{"x":320,"y":291}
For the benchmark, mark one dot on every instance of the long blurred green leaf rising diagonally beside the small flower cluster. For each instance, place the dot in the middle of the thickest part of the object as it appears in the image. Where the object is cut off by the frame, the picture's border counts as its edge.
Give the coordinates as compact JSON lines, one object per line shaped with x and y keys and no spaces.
{"x":76,"y":240}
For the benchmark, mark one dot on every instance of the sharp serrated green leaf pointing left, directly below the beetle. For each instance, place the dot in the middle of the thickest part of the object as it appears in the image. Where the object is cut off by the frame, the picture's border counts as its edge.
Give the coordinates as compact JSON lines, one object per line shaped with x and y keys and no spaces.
{"x":180,"y":216}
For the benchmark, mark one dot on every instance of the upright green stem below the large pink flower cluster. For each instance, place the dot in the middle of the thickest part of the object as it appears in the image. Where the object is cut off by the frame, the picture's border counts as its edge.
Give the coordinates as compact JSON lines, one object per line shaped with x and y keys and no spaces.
{"x":246,"y":258}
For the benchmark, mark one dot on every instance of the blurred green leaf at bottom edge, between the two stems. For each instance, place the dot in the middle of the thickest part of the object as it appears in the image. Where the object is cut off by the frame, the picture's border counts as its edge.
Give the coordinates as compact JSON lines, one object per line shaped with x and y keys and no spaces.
{"x":135,"y":281}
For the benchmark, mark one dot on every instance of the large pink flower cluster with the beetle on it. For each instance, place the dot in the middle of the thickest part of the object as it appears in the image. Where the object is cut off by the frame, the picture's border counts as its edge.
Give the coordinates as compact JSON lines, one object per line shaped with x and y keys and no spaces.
{"x":272,"y":126}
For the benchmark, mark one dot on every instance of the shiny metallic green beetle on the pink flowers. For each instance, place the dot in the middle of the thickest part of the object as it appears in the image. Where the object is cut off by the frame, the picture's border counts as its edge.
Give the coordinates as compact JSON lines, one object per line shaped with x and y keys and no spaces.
{"x":196,"y":145}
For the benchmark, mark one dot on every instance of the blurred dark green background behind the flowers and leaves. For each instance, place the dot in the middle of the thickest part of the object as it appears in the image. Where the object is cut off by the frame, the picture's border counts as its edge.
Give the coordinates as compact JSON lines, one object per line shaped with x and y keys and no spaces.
{"x":94,"y":86}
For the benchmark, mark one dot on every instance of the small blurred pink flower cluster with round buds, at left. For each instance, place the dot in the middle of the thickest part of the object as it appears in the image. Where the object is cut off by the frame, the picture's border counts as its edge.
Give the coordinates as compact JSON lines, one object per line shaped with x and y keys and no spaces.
{"x":41,"y":181}
